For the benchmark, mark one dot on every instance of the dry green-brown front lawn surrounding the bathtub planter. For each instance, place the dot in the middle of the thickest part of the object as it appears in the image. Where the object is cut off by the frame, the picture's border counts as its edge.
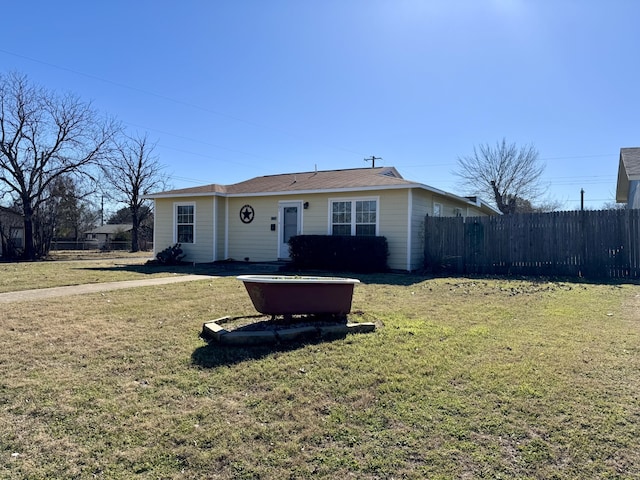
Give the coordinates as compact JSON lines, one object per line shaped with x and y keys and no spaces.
{"x":468,"y":378}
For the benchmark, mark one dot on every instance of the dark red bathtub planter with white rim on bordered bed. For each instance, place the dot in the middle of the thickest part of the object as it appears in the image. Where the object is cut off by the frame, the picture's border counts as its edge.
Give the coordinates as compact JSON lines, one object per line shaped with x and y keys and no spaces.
{"x":320,"y":306}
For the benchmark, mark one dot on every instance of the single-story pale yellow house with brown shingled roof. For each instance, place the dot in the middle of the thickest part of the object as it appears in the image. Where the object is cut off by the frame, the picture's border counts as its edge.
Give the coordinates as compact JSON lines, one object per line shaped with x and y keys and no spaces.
{"x":253,"y":220}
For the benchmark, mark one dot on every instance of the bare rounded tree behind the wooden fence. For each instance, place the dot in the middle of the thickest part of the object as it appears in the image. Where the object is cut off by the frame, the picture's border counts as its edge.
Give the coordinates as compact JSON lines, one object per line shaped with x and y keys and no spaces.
{"x":506,"y":174}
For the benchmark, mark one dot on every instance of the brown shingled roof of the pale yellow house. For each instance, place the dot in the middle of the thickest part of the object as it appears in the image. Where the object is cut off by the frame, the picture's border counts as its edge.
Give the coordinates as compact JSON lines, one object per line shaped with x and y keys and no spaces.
{"x":304,"y":181}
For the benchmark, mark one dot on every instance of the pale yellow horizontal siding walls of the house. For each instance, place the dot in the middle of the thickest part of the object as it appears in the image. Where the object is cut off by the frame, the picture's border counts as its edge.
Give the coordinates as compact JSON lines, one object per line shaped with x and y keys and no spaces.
{"x":220,"y":233}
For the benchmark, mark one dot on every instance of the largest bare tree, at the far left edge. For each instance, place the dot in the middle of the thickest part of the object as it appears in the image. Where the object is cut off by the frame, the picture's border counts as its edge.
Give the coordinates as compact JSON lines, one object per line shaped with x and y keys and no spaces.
{"x":44,"y":136}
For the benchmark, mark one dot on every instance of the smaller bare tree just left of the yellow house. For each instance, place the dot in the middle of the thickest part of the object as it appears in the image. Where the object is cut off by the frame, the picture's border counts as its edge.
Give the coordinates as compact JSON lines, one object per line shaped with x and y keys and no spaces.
{"x":133,"y":172}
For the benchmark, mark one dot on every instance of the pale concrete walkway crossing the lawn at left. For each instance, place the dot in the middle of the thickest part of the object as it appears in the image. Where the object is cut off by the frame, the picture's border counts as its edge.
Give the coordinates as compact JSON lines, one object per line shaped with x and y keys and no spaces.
{"x":44,"y":293}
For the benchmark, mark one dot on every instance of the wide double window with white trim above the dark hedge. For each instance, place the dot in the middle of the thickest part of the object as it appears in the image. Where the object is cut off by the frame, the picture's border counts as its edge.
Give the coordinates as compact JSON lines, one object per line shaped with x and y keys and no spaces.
{"x":354,"y":217}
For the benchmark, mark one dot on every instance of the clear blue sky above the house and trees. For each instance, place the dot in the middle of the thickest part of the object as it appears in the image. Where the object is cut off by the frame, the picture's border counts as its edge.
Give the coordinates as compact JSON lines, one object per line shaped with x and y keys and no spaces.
{"x":235,"y":89}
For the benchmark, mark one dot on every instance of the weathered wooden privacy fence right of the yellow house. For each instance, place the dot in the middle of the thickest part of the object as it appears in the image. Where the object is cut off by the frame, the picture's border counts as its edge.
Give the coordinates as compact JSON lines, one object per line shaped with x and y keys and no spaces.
{"x":593,"y":244}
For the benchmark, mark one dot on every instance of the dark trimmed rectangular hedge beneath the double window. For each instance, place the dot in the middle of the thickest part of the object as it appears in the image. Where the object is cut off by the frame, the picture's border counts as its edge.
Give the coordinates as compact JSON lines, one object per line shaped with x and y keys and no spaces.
{"x":339,"y":253}
